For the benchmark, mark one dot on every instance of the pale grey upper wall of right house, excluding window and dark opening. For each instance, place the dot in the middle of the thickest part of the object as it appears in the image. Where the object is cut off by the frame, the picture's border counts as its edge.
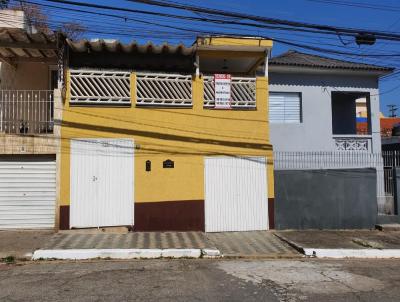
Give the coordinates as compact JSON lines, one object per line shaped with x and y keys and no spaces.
{"x":315,"y":131}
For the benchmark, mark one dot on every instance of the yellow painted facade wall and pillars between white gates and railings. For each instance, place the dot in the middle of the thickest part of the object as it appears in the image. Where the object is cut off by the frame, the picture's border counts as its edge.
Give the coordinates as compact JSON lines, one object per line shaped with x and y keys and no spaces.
{"x":184,"y":135}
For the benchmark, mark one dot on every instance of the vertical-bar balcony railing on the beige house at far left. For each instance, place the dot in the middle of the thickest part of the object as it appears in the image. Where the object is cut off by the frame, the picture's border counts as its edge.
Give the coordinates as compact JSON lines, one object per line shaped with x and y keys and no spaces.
{"x":26,"y":111}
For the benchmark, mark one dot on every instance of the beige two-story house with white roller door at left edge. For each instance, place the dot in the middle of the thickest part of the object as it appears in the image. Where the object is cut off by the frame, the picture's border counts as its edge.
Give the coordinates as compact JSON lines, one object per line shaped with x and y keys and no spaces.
{"x":28,"y":136}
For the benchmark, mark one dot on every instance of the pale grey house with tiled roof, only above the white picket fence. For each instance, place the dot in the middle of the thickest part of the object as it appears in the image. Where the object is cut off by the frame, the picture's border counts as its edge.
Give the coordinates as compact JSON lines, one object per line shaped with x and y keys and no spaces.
{"x":313,"y":100}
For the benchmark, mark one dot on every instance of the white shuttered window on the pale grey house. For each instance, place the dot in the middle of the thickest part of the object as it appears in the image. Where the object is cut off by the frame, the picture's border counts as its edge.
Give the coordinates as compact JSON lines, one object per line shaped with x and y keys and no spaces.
{"x":285,"y":107}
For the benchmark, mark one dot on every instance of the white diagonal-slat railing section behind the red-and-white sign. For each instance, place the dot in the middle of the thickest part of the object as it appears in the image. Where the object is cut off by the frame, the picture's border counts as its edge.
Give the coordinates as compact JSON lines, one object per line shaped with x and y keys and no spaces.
{"x":243,"y":92}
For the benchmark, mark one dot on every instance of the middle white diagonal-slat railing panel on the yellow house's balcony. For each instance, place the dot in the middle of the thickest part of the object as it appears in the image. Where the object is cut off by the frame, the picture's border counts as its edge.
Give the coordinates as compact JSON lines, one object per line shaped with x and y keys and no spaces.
{"x":157,"y":89}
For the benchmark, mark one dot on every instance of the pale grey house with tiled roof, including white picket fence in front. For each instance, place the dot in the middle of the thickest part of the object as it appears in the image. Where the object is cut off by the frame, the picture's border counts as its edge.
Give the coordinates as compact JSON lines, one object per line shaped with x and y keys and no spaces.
{"x":314,"y":103}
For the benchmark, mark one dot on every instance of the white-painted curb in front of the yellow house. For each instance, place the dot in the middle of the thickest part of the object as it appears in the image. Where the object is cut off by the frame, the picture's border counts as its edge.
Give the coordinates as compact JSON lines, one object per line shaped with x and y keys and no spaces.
{"x":84,"y":254}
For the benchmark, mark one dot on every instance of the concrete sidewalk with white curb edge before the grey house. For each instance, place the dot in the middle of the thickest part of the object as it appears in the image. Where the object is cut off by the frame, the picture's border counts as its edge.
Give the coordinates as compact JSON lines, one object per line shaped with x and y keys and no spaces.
{"x":344,"y":243}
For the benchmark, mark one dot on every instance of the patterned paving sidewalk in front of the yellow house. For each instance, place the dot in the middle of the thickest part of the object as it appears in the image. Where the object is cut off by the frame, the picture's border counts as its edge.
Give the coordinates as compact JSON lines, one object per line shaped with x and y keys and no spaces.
{"x":230,"y":244}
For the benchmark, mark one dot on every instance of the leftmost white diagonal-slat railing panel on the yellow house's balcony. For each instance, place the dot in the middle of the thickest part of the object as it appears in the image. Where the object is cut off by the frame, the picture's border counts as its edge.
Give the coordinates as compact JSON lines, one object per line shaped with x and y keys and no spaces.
{"x":99,"y":87}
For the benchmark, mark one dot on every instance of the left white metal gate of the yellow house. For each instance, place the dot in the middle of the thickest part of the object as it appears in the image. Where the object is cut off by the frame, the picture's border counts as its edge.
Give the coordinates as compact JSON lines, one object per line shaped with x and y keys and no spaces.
{"x":102,"y":182}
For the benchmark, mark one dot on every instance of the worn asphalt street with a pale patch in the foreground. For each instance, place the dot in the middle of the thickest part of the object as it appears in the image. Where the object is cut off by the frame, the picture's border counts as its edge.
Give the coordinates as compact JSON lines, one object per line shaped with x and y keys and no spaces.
{"x":202,"y":280}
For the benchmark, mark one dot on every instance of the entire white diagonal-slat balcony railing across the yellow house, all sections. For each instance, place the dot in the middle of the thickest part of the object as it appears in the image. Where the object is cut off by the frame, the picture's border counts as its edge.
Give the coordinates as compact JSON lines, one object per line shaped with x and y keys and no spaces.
{"x":152,"y":89}
